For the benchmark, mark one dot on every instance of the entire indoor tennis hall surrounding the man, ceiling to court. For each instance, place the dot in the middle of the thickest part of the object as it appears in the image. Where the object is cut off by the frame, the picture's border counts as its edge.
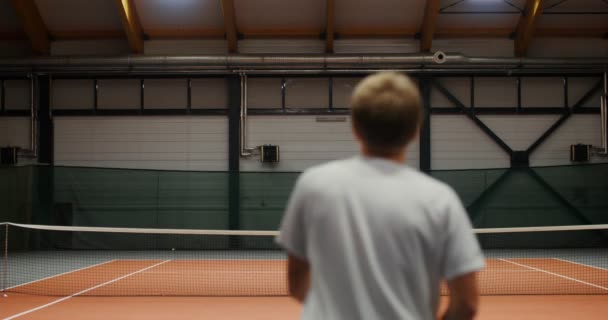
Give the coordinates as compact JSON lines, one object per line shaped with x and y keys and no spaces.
{"x":148,"y":148}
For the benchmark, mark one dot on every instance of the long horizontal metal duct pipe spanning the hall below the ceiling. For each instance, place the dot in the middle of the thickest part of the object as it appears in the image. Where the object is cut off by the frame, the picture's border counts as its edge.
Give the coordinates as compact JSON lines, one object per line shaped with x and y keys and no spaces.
{"x":229,"y":63}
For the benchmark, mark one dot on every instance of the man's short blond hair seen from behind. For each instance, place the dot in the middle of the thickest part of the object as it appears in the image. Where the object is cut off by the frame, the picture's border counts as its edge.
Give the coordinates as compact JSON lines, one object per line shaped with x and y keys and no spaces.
{"x":386,"y":111}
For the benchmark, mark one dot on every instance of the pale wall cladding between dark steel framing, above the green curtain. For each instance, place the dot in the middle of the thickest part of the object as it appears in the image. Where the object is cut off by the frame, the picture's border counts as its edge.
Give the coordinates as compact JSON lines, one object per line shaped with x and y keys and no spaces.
{"x":201,"y":142}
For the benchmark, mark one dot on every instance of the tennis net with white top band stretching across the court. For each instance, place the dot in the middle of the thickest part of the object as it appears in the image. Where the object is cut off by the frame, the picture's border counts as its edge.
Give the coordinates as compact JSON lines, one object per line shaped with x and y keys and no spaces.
{"x":93,"y":261}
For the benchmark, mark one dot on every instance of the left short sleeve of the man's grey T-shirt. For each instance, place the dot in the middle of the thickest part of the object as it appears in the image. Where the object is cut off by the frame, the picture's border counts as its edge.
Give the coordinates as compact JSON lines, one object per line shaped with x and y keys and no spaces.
{"x":292,"y":235}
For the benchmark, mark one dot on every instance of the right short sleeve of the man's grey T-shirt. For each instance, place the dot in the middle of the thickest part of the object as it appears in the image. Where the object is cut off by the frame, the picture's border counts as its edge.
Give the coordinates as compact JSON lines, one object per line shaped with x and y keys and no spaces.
{"x":462,"y":252}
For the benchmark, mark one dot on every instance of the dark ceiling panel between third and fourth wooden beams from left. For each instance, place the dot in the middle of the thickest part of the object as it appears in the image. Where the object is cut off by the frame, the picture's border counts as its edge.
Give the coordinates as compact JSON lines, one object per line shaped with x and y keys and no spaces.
{"x":280,"y":15}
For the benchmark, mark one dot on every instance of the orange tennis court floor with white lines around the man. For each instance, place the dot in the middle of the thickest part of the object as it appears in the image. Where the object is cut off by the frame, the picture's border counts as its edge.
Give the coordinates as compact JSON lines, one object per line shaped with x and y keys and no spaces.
{"x":531,"y":288}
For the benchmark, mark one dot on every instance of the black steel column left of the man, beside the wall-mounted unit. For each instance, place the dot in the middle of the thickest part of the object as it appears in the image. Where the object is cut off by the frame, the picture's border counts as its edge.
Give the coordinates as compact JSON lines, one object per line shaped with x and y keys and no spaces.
{"x":234,"y":150}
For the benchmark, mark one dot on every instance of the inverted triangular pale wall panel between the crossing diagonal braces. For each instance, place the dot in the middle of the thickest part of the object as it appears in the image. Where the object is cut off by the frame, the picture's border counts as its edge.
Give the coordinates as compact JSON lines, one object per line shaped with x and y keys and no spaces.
{"x":519,"y":131}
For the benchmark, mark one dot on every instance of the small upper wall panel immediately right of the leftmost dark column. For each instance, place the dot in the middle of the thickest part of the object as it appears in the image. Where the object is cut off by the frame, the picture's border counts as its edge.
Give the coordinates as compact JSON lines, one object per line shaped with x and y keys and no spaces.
{"x":73,"y":94}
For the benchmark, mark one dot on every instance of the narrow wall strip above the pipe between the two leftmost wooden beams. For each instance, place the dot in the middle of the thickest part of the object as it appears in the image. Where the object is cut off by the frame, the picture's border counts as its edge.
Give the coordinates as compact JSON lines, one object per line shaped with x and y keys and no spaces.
{"x":97,"y":47}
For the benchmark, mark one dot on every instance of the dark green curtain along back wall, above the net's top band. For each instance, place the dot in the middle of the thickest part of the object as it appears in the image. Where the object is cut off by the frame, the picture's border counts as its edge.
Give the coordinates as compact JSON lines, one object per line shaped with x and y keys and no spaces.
{"x":101,"y":197}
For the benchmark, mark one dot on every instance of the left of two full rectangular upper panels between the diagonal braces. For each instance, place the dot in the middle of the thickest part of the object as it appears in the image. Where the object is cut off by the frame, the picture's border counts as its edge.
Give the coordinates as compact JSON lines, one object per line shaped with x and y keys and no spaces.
{"x":495,"y":92}
